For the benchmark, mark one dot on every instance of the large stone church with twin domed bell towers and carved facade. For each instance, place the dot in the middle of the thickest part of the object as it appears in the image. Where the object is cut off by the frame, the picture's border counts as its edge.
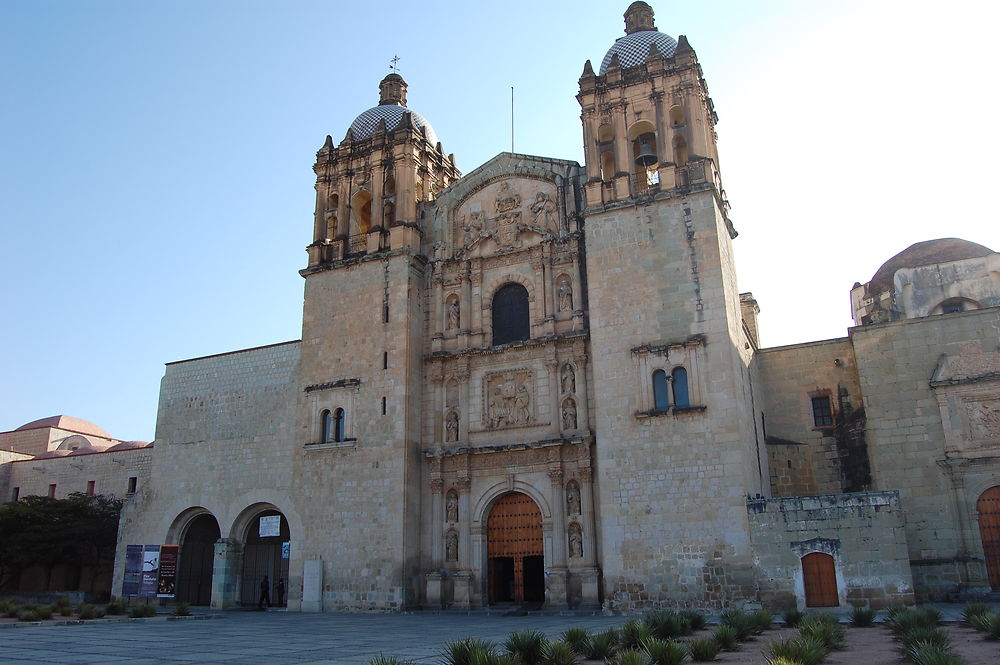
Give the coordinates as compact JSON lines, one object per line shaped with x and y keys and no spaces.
{"x":538,"y":384}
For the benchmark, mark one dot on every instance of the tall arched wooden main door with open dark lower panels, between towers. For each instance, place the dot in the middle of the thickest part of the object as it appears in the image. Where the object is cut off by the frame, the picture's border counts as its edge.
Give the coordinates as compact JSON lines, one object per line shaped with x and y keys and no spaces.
{"x":514,"y":549}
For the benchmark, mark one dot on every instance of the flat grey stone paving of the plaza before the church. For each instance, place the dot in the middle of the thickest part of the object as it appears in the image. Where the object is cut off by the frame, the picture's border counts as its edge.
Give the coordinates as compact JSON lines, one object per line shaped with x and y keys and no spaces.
{"x":277,"y":638}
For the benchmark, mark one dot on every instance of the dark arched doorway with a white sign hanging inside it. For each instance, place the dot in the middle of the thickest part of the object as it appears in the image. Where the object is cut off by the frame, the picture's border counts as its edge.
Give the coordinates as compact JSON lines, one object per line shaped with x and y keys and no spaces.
{"x":267,"y":543}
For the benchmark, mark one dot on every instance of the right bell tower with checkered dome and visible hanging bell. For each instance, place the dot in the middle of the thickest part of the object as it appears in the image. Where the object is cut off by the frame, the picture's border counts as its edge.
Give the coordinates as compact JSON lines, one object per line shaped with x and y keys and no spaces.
{"x":676,"y":444}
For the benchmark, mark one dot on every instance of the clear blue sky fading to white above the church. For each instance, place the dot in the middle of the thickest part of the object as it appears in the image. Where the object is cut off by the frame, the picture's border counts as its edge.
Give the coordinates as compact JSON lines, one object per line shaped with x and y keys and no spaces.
{"x":155,"y":157}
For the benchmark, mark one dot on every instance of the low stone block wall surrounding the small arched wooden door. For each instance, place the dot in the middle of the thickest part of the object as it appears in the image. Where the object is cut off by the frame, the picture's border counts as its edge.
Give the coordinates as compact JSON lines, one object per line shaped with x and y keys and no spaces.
{"x":864,"y":532}
